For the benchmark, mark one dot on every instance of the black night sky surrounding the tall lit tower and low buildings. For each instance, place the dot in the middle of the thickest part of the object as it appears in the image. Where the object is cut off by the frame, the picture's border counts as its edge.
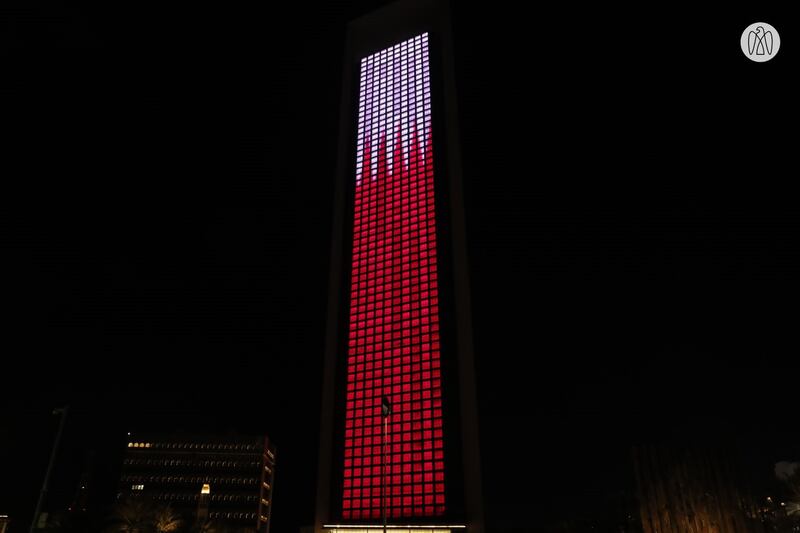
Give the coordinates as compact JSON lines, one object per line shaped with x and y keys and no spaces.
{"x":633,"y":236}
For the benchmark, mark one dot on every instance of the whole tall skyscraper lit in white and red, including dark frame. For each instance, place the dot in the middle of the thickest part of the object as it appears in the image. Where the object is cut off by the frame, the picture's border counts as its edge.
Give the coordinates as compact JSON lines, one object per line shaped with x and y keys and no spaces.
{"x":399,"y":323}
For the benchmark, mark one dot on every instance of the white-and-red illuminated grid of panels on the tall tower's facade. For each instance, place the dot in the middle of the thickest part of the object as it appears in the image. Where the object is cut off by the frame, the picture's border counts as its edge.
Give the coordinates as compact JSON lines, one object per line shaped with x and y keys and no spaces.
{"x":393,"y":343}
